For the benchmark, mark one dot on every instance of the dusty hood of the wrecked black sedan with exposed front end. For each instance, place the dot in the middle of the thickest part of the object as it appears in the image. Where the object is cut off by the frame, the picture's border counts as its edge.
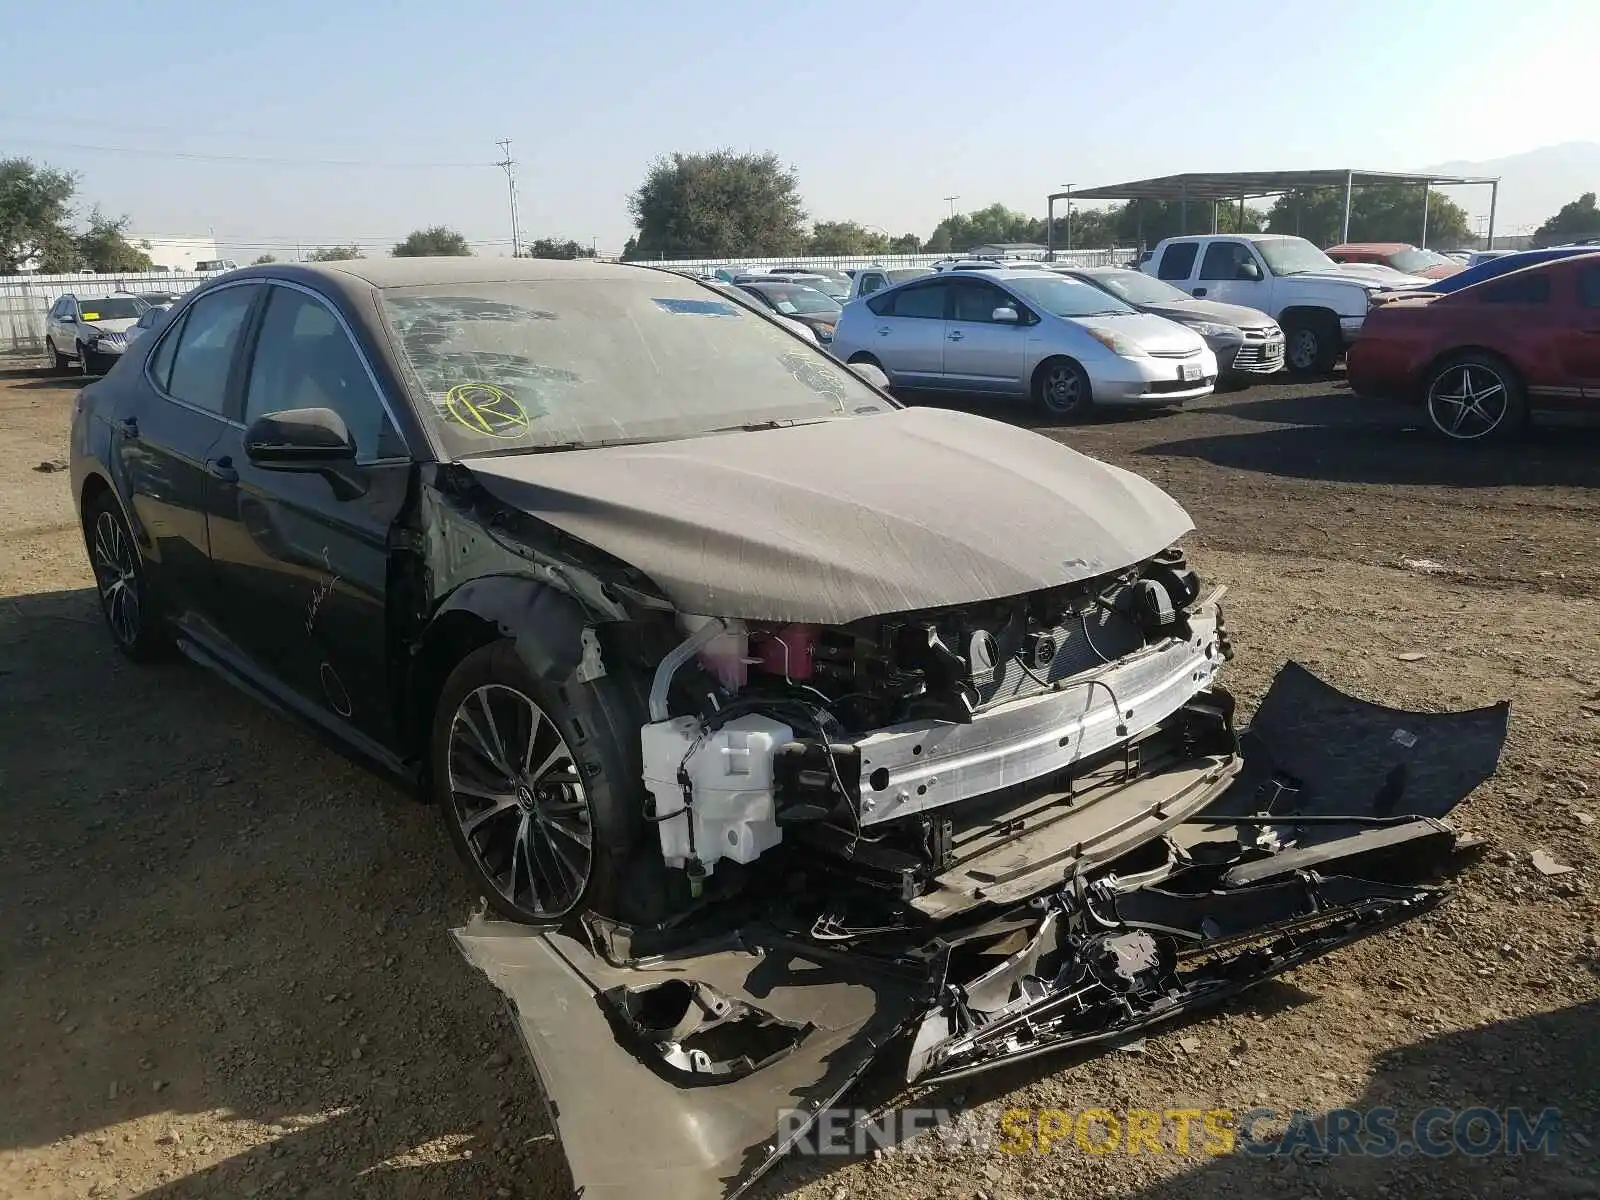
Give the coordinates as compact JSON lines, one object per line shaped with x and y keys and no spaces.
{"x":836,"y":521}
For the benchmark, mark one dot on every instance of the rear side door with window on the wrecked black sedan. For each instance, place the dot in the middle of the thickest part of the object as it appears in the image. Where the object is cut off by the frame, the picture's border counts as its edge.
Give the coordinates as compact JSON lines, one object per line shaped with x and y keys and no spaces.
{"x":164,"y":447}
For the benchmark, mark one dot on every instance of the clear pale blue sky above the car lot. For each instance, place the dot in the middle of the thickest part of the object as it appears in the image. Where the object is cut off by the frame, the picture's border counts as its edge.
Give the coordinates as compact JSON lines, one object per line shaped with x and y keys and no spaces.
{"x":882,"y":108}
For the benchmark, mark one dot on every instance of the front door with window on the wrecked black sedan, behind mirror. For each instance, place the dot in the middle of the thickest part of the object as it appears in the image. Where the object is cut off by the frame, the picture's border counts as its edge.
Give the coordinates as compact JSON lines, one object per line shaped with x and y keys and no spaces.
{"x":303,"y":559}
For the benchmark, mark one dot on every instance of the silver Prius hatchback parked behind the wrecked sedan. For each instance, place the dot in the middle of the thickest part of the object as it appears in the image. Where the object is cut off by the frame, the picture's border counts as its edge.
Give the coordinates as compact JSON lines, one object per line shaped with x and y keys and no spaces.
{"x":1068,"y":345}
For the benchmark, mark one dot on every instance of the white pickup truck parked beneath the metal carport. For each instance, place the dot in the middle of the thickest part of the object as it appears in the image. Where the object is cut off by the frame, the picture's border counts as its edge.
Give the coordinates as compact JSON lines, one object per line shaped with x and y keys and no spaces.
{"x":1319,"y":303}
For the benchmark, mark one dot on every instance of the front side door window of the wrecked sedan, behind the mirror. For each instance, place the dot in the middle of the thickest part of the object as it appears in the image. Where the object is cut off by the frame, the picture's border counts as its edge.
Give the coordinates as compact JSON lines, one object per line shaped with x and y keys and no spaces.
{"x":305,"y":359}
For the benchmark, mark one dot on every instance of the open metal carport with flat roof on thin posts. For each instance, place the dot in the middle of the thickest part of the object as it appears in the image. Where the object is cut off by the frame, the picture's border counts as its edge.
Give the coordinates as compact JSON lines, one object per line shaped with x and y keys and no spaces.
{"x":1239,"y":186}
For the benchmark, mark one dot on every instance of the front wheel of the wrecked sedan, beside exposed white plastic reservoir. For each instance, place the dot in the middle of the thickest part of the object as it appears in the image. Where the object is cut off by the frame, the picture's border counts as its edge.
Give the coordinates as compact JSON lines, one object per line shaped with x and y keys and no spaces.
{"x":538,"y":786}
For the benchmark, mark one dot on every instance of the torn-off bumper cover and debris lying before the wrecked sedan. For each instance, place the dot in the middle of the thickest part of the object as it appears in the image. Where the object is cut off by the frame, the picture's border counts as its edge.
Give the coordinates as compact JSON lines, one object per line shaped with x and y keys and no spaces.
{"x":1329,"y":831}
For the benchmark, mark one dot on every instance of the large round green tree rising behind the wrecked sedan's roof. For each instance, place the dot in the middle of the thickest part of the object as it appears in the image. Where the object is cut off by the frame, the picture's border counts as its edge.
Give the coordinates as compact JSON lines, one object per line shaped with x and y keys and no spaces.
{"x":718,"y":206}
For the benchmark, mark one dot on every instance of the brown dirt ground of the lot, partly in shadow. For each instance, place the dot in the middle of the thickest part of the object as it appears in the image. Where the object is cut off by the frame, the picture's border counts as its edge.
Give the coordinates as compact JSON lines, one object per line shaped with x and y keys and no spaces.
{"x":225,"y":967}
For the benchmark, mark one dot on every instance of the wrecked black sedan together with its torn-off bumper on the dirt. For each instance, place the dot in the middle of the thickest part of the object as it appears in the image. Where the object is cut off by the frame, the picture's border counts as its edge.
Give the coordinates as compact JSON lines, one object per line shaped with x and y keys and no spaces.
{"x":782,"y":727}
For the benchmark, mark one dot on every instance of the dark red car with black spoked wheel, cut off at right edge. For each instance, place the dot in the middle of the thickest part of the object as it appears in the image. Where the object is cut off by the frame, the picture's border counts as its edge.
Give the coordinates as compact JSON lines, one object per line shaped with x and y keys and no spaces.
{"x":1482,"y":359}
